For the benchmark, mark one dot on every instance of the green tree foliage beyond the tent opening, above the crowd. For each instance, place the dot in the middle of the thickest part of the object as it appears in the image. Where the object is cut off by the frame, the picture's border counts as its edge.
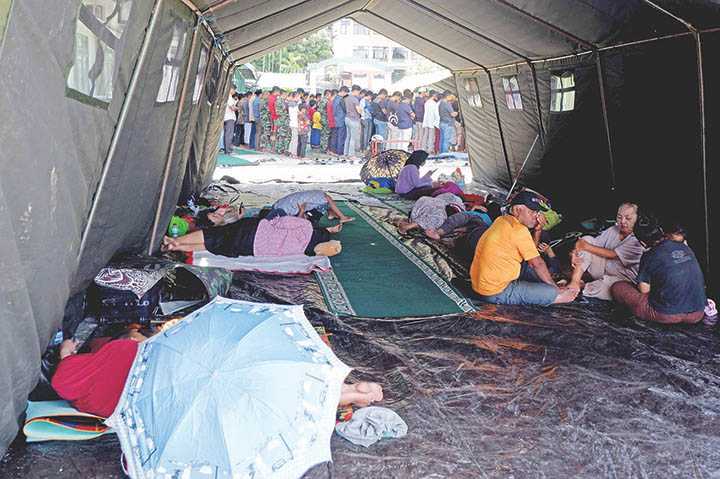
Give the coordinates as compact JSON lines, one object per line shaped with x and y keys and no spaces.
{"x":296,"y":57}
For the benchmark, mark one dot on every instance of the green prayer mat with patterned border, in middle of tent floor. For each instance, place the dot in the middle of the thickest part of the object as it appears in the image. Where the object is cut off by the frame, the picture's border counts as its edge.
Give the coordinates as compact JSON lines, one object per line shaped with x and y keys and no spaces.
{"x":376,"y":276}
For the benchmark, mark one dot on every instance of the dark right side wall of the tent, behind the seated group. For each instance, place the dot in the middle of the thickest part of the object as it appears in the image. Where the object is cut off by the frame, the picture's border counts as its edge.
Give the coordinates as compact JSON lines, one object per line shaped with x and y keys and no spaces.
{"x":652,"y":100}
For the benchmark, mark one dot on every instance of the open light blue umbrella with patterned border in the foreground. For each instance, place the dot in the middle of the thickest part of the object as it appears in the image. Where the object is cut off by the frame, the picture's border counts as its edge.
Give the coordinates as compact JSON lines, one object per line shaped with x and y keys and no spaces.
{"x":236,"y":389}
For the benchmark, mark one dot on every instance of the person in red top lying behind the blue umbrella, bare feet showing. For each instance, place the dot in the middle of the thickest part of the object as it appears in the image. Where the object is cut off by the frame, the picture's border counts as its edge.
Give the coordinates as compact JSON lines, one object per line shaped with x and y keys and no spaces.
{"x":93,"y":382}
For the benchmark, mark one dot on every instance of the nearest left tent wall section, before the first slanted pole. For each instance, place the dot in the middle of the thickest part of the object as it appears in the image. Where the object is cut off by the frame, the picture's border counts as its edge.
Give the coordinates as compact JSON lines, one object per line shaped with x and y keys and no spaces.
{"x":55,"y":133}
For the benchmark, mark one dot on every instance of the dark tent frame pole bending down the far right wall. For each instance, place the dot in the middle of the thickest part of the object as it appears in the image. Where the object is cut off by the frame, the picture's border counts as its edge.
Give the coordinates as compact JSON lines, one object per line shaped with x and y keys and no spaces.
{"x":695,"y":32}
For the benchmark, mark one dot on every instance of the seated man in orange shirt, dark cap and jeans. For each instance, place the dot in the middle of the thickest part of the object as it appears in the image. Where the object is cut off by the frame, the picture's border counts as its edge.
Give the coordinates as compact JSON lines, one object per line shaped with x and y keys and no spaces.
{"x":507,"y":268}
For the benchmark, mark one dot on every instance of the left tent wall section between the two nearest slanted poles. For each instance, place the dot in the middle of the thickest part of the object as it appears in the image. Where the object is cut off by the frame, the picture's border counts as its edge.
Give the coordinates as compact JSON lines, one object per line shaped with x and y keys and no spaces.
{"x":125,"y":203}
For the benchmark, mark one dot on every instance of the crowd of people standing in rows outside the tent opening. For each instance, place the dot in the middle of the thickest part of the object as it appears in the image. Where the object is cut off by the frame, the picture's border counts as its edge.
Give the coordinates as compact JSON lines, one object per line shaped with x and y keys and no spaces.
{"x":342,"y":122}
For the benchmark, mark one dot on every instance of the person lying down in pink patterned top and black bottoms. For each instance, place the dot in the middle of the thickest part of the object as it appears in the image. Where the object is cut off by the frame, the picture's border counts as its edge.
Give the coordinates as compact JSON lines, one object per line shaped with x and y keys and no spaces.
{"x":280,"y":236}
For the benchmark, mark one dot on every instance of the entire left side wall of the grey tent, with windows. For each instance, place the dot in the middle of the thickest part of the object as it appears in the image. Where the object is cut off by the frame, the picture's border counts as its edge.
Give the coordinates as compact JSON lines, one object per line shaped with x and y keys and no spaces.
{"x":88,"y":147}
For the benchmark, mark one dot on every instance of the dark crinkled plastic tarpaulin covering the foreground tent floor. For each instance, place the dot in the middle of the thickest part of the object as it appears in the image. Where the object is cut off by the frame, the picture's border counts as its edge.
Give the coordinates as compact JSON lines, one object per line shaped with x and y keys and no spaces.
{"x":563,"y":392}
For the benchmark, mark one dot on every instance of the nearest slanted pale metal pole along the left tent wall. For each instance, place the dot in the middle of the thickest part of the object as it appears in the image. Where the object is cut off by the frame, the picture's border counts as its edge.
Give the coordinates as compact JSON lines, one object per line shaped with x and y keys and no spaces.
{"x":154,"y":17}
